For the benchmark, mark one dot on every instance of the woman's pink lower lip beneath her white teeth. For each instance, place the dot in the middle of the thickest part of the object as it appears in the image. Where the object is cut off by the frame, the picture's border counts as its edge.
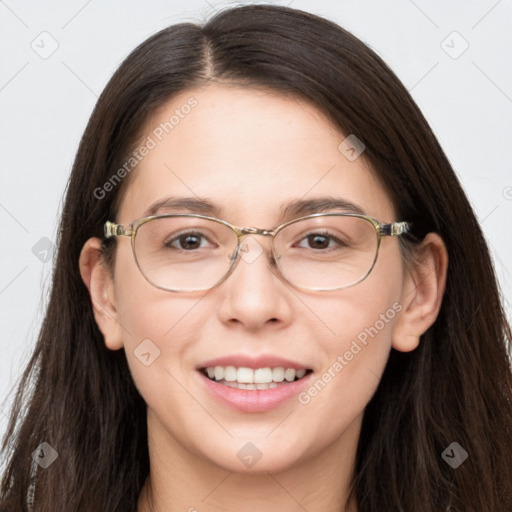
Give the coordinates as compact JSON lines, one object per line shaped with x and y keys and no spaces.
{"x":249,"y":400}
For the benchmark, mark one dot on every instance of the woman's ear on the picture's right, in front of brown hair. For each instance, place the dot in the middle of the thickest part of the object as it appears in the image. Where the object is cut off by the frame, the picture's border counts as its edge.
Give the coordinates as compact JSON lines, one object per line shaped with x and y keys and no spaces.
{"x":422,"y":293}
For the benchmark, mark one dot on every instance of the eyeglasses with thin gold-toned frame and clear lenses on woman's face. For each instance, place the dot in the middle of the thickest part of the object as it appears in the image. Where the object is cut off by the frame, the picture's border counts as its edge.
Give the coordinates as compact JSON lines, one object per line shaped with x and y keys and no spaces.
{"x":192,"y":252}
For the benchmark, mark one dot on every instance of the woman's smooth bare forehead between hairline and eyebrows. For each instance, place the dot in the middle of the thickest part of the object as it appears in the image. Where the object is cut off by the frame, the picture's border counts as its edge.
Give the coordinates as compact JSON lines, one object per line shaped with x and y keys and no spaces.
{"x":248,"y":152}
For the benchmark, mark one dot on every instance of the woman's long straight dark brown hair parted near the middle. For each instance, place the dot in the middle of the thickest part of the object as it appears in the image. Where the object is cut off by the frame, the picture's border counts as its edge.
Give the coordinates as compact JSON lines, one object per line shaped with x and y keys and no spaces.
{"x":79,"y":397}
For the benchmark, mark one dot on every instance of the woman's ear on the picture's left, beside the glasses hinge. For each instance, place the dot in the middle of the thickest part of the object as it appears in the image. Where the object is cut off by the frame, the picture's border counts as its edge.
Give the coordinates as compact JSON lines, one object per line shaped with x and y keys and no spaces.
{"x":100,"y":284}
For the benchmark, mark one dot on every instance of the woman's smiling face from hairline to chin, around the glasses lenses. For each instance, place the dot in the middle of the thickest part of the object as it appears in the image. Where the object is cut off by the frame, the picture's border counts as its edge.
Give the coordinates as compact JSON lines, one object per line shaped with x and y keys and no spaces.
{"x":250,"y":153}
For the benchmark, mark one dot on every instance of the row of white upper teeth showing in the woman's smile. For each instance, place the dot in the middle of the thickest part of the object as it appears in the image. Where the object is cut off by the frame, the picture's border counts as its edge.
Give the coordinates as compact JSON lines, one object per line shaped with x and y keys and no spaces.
{"x":261,"y":378}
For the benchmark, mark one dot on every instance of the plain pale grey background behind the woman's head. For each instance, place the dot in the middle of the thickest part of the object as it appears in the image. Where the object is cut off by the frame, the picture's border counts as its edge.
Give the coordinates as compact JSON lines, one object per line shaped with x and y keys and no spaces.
{"x":45,"y":104}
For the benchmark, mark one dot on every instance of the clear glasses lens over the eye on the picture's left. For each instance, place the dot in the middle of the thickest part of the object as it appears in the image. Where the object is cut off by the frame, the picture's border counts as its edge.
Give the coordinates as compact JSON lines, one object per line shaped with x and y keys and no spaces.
{"x":184,"y":253}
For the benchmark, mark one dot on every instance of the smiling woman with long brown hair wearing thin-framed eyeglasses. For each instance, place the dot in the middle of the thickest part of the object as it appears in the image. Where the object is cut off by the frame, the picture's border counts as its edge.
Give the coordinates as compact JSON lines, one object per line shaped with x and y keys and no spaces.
{"x":350,"y":354}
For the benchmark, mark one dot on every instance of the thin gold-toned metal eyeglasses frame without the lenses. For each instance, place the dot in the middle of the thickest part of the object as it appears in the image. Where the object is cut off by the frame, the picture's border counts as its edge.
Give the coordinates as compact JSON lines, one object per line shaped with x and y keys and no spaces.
{"x":397,"y":228}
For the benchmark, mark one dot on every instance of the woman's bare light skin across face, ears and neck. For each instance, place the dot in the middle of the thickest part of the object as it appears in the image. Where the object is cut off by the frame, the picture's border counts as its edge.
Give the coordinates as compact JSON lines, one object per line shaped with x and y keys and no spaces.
{"x":249,"y":151}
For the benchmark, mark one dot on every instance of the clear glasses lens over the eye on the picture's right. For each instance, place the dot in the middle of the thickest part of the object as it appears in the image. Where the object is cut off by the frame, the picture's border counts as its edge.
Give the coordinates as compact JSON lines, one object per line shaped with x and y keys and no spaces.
{"x":327,"y":252}
